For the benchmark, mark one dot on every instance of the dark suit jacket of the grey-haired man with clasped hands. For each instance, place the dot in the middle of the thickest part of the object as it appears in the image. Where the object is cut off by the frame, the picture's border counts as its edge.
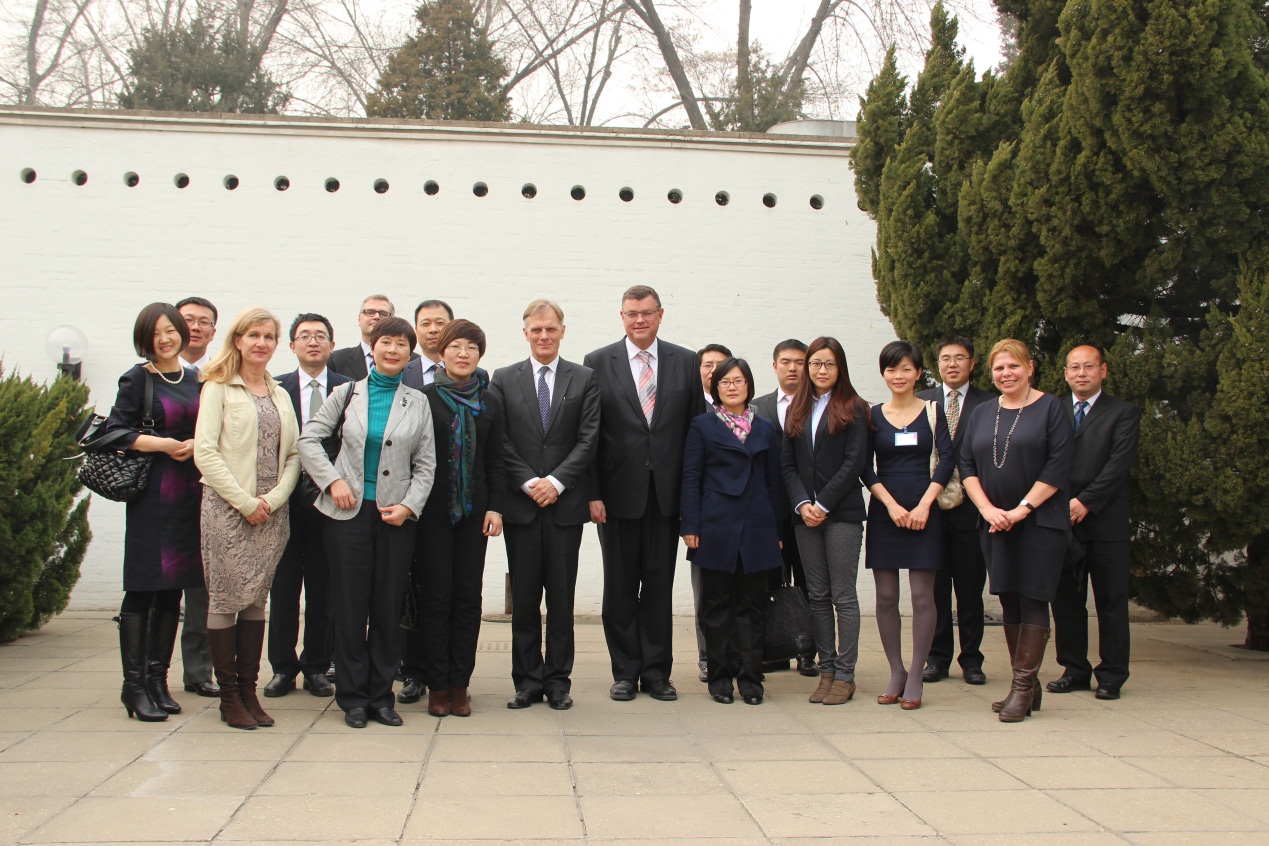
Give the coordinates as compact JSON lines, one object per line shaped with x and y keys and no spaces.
{"x":564,"y":451}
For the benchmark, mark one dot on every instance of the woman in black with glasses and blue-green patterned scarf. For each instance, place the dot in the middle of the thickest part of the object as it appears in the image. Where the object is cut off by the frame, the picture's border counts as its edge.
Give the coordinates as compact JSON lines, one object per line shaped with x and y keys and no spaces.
{"x":460,"y":518}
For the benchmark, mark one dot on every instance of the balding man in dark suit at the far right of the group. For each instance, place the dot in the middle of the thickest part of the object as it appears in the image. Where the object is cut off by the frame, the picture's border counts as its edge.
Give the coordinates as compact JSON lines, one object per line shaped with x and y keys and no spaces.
{"x":1106,"y":448}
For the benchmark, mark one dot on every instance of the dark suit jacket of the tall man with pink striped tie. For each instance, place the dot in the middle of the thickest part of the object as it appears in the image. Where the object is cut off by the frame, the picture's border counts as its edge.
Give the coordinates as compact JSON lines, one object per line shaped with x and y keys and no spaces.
{"x":633,"y":455}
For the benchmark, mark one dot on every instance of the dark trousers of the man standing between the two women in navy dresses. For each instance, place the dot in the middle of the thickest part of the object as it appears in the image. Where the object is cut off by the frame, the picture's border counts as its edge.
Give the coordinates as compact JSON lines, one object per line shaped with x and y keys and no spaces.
{"x":966,"y":574}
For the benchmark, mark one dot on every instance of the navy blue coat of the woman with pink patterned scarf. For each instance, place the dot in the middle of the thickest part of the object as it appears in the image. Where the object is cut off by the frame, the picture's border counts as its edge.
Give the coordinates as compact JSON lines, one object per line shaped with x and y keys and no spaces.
{"x":732,"y":493}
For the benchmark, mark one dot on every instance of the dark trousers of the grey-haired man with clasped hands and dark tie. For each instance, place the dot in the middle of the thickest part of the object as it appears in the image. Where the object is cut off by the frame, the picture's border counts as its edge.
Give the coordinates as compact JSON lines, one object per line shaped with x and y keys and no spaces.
{"x":542,"y":559}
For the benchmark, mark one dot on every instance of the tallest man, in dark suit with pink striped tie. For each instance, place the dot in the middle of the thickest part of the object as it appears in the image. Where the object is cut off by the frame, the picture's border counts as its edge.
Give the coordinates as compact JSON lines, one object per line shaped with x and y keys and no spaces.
{"x":649,"y":393}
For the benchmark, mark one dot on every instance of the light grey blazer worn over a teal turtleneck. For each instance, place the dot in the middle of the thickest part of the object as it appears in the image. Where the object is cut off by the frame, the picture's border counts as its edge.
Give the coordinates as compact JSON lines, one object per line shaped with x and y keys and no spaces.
{"x":408,"y":460}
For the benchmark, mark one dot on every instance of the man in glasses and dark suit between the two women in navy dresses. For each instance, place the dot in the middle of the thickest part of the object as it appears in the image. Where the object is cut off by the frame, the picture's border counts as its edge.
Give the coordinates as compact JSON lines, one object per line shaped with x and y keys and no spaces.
{"x":965,"y":571}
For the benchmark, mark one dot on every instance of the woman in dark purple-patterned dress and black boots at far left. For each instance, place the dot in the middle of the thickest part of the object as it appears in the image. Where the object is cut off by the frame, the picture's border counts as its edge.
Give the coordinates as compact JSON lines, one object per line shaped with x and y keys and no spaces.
{"x":162,"y":532}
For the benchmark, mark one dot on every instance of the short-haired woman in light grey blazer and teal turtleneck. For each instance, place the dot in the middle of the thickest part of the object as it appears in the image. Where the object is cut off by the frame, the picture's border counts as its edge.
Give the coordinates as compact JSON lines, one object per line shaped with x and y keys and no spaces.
{"x":374,"y":494}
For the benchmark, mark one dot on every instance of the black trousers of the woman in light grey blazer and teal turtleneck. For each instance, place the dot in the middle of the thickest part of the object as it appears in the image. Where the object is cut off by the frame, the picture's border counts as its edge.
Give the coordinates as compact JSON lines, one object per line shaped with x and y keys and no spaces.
{"x":370,"y":568}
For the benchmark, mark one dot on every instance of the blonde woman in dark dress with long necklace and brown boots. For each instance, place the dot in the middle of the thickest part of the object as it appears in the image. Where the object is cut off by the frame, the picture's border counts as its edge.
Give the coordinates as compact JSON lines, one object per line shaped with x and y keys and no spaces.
{"x":1016,"y":465}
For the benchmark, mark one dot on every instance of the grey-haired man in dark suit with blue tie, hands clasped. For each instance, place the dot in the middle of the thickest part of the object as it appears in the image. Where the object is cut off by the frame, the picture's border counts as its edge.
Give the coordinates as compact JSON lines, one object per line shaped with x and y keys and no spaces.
{"x":553,"y":431}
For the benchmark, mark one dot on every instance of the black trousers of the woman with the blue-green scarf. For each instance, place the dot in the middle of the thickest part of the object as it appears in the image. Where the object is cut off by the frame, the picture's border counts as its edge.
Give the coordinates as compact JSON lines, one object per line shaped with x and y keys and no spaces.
{"x":449,"y":574}
